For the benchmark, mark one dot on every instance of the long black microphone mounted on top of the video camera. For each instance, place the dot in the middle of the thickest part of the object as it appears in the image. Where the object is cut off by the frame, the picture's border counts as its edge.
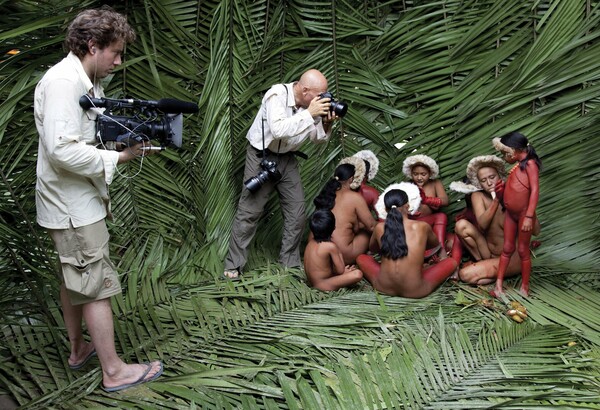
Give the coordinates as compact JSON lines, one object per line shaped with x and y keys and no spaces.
{"x":166,"y":105}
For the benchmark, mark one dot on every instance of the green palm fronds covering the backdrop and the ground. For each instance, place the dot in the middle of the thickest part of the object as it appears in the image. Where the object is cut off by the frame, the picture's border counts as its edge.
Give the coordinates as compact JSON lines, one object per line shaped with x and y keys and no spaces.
{"x":434,"y":77}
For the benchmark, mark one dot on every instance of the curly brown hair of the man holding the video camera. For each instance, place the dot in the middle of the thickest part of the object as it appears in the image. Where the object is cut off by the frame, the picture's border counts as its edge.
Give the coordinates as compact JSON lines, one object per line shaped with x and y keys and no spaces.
{"x":103,"y":26}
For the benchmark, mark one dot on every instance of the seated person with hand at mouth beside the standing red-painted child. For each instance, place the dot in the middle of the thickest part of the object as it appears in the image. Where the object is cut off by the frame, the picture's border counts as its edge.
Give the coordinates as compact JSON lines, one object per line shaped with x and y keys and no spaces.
{"x":484,"y":239}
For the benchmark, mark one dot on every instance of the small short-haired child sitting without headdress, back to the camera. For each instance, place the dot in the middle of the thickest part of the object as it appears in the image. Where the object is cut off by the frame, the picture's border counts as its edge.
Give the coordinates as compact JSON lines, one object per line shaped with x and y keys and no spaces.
{"x":323,"y":261}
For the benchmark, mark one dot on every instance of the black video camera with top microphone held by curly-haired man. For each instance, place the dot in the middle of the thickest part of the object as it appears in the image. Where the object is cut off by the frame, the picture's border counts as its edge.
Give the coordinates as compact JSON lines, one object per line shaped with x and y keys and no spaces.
{"x":161,"y":120}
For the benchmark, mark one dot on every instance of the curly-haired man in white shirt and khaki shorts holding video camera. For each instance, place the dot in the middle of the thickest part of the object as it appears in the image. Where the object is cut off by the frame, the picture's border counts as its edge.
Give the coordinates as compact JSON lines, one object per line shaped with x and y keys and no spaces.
{"x":72,"y":191}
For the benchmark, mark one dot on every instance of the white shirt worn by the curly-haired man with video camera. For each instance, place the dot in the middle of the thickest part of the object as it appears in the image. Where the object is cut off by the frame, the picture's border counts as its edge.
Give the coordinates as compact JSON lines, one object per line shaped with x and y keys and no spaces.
{"x":72,"y":174}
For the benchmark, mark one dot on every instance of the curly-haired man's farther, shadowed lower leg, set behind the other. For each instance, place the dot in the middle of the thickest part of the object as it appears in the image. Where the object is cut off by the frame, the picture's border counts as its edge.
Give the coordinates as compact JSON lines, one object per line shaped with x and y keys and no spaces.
{"x":72,"y":315}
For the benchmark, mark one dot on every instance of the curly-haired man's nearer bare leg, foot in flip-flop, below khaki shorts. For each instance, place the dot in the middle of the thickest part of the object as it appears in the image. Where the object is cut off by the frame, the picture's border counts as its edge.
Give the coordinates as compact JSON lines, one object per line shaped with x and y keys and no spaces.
{"x":98,"y":316}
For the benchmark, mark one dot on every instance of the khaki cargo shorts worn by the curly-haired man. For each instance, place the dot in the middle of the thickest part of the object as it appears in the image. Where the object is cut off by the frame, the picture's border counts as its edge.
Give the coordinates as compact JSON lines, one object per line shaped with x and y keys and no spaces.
{"x":87,"y":272}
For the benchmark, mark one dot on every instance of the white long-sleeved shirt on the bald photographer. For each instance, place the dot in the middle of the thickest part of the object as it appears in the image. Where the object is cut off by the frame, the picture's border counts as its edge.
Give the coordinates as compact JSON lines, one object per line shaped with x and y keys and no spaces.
{"x":286,"y":127}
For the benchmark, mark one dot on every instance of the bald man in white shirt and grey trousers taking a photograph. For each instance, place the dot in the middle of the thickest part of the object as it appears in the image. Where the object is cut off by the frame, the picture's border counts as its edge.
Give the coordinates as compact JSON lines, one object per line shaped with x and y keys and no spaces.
{"x":289,"y":115}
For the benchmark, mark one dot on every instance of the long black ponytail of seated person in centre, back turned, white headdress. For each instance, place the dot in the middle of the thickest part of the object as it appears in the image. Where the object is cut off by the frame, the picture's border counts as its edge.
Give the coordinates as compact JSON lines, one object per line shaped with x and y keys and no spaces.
{"x":393,"y":241}
